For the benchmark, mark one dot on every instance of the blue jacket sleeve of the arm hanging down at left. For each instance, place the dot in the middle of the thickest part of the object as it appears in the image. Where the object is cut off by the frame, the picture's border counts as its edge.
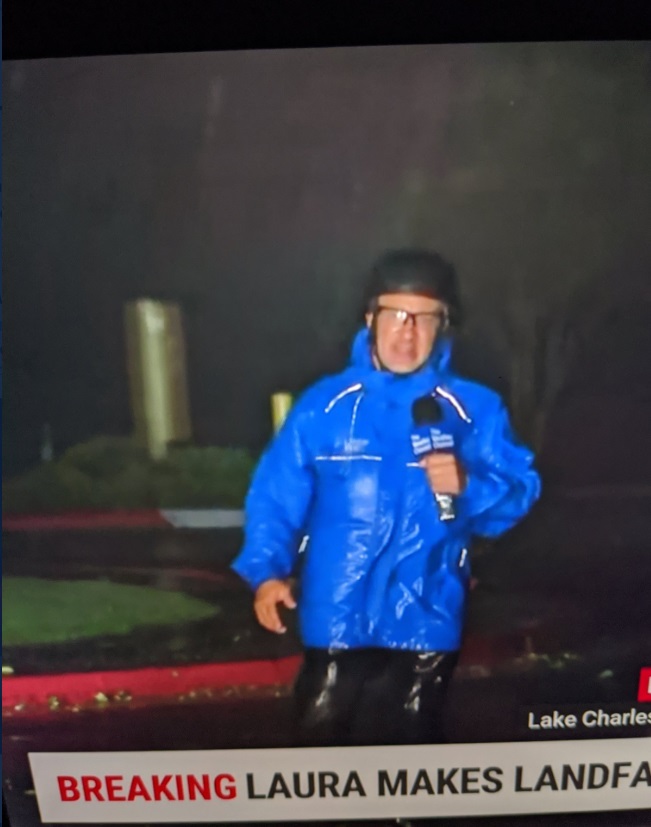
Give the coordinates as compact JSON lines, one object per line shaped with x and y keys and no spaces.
{"x":277,"y":504}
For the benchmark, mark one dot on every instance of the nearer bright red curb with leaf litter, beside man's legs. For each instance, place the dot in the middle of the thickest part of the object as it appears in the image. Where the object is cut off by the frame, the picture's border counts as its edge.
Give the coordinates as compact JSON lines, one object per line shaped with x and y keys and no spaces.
{"x":151,"y":682}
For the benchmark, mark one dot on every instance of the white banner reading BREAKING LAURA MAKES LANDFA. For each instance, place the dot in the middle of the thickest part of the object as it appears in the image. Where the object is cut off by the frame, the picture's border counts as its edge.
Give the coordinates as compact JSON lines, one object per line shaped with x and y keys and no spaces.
{"x":356,"y":782}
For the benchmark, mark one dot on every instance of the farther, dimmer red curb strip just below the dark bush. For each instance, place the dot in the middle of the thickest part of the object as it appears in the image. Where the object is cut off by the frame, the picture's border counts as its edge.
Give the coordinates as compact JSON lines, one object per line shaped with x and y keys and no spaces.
{"x":141,"y":518}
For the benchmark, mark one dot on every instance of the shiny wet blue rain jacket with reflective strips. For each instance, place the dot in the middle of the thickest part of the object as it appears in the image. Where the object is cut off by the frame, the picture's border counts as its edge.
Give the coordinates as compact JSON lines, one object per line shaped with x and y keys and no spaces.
{"x":339,"y":499}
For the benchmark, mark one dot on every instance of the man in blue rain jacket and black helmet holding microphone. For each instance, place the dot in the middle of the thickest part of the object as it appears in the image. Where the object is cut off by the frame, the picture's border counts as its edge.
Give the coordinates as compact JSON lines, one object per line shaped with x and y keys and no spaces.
{"x":340,"y":498}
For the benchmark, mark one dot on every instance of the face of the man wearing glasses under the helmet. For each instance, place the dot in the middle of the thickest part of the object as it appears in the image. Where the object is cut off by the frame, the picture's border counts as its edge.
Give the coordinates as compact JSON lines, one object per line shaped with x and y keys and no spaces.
{"x":406,"y":330}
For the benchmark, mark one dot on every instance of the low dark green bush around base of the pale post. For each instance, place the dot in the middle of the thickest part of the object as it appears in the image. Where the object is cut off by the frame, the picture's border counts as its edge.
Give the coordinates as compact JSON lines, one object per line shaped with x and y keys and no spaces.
{"x":115,"y":472}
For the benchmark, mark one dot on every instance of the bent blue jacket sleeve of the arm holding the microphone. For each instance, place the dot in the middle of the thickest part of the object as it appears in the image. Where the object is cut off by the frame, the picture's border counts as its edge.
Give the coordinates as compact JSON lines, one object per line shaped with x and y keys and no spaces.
{"x":502,"y":484}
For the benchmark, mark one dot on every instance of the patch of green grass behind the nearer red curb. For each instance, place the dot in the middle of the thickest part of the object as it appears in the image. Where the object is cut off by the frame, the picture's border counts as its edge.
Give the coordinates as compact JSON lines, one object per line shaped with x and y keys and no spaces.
{"x":35,"y":610}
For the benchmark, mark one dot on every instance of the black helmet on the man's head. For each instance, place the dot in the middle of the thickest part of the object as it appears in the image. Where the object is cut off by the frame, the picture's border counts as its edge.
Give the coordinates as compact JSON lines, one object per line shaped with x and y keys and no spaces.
{"x":421,"y":272}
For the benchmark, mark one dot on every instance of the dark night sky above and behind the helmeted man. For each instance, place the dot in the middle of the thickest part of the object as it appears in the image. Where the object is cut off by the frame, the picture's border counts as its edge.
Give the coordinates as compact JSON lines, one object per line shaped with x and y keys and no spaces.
{"x":256,"y":187}
